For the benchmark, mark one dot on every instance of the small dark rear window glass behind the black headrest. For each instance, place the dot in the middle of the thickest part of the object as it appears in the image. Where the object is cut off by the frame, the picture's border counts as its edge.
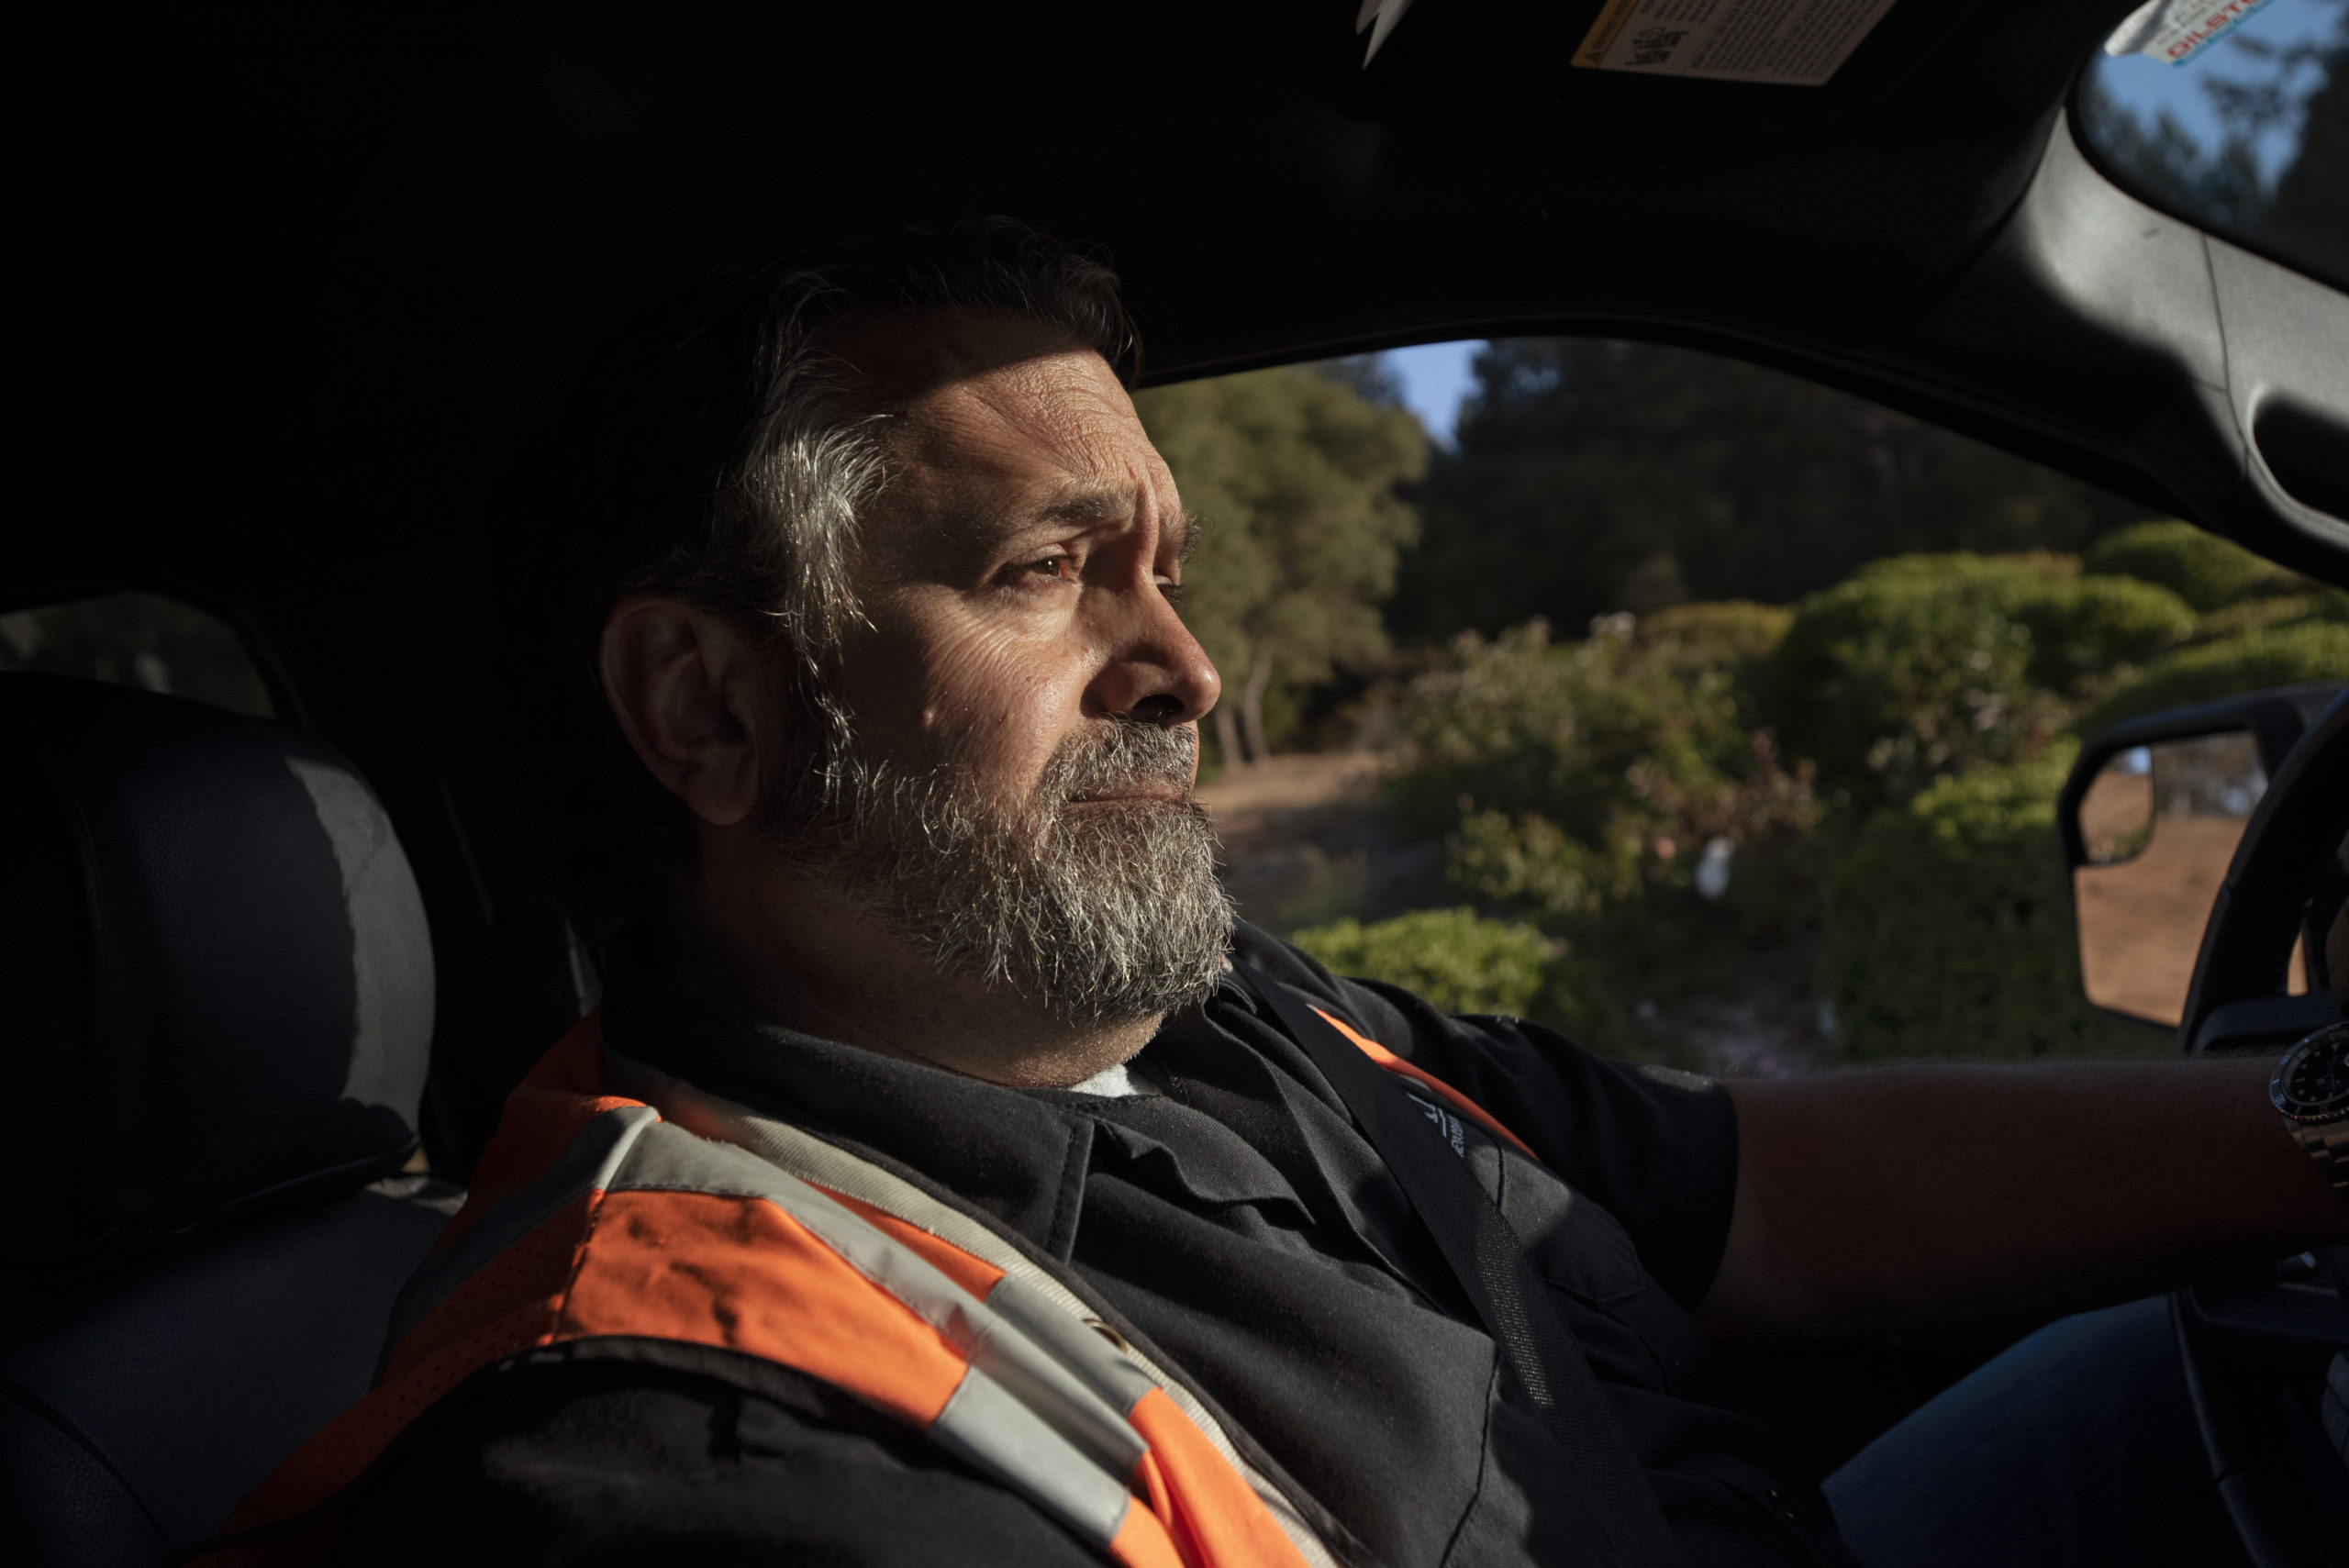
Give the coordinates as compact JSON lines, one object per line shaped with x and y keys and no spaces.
{"x":137,"y":640}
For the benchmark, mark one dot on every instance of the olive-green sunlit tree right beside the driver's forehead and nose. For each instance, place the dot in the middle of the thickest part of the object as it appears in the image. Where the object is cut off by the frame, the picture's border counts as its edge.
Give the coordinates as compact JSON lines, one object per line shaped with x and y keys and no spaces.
{"x":1295,"y":478}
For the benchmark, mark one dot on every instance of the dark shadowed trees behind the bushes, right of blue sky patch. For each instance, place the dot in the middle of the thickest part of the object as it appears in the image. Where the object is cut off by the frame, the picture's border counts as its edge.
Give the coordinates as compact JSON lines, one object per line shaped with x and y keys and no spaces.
{"x":1596,"y":478}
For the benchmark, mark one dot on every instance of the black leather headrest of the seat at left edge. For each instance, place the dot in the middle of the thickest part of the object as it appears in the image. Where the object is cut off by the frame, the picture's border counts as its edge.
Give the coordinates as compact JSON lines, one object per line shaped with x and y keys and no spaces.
{"x":215,"y":971}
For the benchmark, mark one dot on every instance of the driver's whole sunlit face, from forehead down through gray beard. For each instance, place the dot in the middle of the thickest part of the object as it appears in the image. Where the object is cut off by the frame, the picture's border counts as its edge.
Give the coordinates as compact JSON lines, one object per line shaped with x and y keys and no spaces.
{"x":1016,"y":799}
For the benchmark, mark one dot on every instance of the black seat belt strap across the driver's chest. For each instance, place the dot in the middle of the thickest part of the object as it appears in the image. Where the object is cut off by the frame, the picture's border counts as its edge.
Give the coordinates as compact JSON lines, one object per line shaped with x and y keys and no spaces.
{"x":1486,"y":1255}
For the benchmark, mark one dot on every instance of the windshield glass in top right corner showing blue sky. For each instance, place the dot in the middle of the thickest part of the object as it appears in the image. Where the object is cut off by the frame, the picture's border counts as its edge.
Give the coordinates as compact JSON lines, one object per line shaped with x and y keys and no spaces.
{"x":2235,"y":116}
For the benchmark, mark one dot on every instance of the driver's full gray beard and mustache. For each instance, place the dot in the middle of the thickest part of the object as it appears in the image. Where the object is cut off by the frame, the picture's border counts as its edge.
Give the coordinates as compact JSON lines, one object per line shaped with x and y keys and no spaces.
{"x":1098,"y":914}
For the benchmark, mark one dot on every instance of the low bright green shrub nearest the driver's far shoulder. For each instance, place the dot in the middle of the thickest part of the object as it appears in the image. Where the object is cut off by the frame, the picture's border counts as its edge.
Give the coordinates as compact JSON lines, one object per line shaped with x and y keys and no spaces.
{"x":1467,"y":964}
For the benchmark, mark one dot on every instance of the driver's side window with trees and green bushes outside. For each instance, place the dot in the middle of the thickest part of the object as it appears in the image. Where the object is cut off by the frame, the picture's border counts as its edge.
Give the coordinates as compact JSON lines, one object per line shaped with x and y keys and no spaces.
{"x":1702,"y":712}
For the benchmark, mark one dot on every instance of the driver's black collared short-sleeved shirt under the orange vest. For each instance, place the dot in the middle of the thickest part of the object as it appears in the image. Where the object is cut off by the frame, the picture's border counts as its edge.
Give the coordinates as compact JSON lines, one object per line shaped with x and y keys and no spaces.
{"x":1237,"y":1224}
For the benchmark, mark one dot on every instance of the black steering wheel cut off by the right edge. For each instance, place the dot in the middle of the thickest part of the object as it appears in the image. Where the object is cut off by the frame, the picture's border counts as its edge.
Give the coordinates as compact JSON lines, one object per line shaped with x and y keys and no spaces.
{"x":2268,"y":1358}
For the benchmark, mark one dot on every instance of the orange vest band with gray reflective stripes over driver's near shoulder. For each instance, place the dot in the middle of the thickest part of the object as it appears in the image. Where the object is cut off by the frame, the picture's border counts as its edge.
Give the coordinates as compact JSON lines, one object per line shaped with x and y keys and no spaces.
{"x":685,"y":1217}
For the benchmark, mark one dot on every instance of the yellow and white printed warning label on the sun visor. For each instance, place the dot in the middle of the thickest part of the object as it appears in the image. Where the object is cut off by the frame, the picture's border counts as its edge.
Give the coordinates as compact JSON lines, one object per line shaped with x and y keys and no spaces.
{"x":1796,"y":43}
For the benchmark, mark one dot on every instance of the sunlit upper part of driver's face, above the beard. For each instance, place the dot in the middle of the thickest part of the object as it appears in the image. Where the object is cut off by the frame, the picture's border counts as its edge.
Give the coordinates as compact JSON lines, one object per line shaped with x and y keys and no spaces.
{"x":1023,"y":562}
